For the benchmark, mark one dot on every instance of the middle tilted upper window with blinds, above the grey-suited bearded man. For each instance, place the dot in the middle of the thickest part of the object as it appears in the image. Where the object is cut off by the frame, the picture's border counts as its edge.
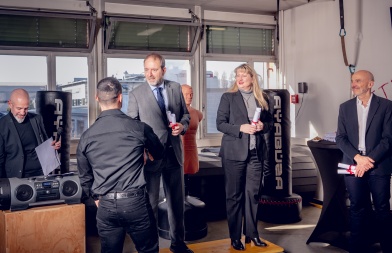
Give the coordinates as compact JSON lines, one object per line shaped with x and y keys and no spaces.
{"x":127,"y":34}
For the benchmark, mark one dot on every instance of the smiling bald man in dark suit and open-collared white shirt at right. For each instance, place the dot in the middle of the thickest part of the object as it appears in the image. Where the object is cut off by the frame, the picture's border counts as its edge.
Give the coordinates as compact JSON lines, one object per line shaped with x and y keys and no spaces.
{"x":364,"y":135}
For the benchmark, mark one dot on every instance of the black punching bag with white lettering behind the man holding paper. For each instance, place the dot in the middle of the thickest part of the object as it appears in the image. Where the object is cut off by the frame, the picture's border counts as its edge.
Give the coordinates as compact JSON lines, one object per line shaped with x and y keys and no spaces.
{"x":55,"y":108}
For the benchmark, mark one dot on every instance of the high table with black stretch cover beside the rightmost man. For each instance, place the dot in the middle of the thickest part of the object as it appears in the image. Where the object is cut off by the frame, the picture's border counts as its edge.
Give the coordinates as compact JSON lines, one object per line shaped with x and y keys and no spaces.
{"x":333,"y":224}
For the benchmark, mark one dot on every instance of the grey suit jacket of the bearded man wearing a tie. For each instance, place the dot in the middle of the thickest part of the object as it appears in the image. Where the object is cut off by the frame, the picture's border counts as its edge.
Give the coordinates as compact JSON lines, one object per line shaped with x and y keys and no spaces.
{"x":143,"y":106}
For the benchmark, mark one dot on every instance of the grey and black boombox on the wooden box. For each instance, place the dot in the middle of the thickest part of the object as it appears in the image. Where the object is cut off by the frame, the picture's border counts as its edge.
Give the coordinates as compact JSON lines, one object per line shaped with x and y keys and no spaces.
{"x":22,"y":193}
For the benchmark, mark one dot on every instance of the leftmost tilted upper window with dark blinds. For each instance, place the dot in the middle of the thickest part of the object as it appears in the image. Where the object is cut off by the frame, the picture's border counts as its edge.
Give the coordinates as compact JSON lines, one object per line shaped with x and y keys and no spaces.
{"x":28,"y":30}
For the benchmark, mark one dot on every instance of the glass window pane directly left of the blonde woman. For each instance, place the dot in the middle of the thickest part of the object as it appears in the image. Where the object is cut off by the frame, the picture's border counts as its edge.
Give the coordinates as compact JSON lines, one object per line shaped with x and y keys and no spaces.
{"x":219,"y":77}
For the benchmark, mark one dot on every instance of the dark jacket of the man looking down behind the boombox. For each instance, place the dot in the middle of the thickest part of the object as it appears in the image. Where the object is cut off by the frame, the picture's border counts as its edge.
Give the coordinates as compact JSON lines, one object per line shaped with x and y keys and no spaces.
{"x":11,"y":150}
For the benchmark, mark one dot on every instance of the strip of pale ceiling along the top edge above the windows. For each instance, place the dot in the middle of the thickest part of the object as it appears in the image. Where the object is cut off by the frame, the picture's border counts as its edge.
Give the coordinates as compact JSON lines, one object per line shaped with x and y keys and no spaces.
{"x":241,"y":6}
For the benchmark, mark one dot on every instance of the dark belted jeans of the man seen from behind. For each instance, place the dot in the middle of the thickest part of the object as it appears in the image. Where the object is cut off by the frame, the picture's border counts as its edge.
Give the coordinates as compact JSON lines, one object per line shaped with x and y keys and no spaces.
{"x":134,"y":216}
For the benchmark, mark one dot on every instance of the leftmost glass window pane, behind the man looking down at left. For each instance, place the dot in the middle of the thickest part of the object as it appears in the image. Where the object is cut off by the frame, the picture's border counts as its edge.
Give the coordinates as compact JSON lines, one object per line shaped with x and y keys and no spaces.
{"x":27,"y":72}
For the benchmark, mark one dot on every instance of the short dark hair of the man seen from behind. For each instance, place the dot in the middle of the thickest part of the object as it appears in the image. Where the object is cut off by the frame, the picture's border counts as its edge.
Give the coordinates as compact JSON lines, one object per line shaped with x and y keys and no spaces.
{"x":108,"y":90}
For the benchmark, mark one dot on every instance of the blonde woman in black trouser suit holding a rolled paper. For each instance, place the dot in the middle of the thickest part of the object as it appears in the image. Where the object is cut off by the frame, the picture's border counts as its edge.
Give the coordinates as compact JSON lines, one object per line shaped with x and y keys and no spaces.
{"x":243,"y":150}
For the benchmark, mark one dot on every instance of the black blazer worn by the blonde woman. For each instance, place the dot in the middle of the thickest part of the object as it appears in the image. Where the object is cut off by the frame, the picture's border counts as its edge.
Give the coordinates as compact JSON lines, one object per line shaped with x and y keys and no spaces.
{"x":231,"y":115}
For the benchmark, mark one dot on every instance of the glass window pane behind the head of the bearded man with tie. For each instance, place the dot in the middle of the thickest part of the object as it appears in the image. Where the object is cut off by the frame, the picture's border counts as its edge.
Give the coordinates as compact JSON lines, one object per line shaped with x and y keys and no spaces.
{"x":130,"y":73}
